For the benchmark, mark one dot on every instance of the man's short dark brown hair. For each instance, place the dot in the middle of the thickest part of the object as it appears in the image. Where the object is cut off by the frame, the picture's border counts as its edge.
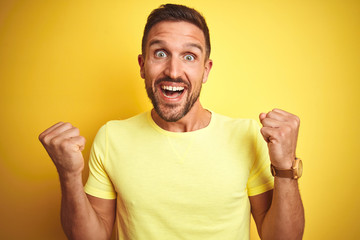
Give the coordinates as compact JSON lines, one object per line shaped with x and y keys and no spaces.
{"x":176,"y":13}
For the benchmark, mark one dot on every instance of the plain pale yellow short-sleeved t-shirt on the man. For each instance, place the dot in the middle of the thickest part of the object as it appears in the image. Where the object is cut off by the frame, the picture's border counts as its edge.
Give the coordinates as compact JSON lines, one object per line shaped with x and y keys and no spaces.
{"x":170,"y":185}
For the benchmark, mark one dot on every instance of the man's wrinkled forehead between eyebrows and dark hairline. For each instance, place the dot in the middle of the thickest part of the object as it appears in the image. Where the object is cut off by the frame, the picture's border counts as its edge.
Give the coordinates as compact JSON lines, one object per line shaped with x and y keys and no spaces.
{"x":176,"y":33}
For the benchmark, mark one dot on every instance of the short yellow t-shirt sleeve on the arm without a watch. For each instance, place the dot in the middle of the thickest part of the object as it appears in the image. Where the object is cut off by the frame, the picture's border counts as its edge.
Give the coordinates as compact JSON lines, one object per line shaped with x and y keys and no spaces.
{"x":99,"y":183}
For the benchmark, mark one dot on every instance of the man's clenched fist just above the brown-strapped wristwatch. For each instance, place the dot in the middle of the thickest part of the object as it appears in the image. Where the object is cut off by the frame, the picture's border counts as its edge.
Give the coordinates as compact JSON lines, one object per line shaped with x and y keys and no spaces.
{"x":280,"y":131}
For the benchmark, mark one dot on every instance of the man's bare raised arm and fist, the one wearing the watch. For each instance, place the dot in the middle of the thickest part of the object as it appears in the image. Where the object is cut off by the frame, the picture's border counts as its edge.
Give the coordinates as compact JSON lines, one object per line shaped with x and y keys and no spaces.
{"x":279,"y":214}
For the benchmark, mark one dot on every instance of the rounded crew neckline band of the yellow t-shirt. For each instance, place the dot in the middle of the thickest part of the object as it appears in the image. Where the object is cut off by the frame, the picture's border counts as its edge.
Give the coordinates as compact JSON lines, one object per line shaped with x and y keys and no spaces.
{"x":166,"y":132}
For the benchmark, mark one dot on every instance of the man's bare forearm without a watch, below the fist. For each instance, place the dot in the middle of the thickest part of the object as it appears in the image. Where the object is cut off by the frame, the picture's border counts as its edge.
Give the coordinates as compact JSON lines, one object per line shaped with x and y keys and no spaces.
{"x":78,"y":218}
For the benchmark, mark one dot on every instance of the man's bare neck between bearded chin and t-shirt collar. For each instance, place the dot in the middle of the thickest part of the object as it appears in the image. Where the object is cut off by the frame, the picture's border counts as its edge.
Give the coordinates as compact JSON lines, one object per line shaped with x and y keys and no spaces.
{"x":197,"y":118}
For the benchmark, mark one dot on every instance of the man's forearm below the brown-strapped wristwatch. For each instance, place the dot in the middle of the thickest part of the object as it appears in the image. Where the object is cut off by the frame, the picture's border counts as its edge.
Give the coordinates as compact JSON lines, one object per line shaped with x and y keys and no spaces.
{"x":285,"y":218}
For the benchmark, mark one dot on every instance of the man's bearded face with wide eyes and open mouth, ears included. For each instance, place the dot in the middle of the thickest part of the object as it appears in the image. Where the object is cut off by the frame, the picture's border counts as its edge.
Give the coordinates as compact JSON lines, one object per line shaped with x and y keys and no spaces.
{"x":174,"y":68}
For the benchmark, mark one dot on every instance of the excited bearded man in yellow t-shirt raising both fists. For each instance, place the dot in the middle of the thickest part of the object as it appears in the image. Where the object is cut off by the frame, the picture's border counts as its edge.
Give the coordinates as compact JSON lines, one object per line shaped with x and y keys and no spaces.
{"x":179,"y":171}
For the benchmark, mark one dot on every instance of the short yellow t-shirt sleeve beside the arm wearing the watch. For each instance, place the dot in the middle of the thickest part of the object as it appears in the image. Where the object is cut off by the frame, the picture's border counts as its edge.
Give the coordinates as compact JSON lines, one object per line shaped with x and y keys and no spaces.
{"x":260,"y":178}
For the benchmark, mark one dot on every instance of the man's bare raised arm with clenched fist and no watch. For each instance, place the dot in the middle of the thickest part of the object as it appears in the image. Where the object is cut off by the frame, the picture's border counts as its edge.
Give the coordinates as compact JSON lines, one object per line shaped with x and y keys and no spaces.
{"x":82,"y":216}
